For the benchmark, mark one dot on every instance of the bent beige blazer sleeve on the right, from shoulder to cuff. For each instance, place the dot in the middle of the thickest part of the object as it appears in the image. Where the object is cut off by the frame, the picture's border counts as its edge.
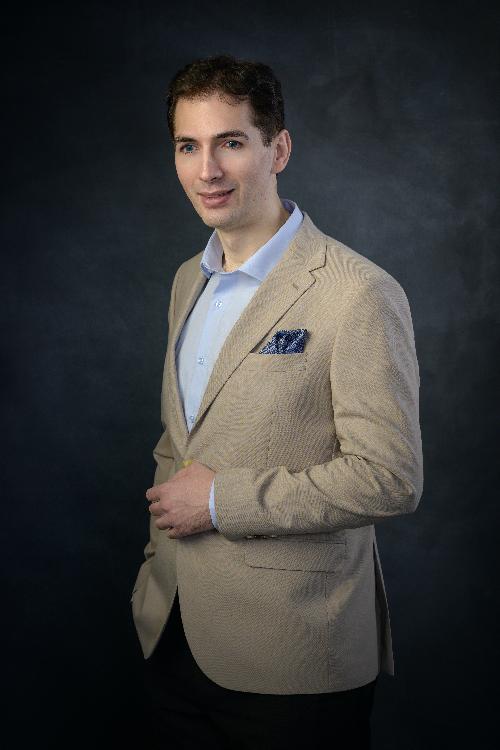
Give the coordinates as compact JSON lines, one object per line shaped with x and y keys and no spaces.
{"x":377,"y":469}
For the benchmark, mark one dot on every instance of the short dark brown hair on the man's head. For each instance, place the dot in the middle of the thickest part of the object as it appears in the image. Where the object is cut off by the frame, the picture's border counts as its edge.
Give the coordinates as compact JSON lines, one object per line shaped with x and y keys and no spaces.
{"x":242,"y":80}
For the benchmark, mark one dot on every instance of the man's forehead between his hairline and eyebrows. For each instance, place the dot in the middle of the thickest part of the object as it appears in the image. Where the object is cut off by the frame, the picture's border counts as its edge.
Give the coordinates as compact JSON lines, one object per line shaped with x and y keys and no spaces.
{"x":211,"y":114}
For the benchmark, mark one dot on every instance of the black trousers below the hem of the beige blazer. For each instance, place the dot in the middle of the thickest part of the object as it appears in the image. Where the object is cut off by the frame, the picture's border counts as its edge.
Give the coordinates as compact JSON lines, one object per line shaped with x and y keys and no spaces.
{"x":187,"y":710}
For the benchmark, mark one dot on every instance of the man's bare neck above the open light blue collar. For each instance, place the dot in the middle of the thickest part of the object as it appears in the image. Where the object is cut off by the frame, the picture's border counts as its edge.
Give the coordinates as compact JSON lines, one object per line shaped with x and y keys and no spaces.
{"x":241,"y":244}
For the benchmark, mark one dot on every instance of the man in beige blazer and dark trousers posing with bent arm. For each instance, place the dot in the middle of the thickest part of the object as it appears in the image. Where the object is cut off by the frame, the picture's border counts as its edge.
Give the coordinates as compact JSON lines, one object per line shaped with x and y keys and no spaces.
{"x":290,"y":410}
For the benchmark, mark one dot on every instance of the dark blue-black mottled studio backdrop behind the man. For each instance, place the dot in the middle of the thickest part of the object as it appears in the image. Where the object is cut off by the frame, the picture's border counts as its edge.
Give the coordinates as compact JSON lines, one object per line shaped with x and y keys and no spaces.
{"x":393,"y":111}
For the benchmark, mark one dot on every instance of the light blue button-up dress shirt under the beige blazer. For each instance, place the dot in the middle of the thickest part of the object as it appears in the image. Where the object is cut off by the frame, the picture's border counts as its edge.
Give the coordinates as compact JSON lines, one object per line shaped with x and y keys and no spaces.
{"x":217,"y":309}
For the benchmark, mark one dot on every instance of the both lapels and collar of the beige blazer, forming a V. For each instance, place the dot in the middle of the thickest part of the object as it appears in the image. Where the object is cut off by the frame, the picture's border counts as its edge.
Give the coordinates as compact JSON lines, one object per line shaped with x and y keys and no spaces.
{"x":287,"y":281}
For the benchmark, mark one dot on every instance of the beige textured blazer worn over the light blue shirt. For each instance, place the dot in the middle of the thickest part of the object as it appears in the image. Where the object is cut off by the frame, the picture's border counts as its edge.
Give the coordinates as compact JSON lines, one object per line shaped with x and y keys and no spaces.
{"x":310,"y":450}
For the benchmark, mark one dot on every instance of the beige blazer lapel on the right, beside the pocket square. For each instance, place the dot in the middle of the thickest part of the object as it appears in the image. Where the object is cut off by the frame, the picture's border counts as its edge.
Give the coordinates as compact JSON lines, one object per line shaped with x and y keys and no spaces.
{"x":288,"y":280}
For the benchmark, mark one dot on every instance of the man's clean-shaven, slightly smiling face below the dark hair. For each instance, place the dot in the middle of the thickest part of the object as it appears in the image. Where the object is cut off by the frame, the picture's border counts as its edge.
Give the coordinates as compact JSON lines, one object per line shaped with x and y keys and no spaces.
{"x":221,"y":150}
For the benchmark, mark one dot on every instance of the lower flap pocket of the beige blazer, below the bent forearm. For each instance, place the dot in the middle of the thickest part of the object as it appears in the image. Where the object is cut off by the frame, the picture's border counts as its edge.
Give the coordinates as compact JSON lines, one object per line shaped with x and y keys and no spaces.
{"x":279,"y":554}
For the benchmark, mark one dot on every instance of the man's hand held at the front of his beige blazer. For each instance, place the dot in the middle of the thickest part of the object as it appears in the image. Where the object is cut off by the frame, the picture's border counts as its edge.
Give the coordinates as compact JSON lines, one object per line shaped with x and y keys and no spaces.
{"x":181,"y":504}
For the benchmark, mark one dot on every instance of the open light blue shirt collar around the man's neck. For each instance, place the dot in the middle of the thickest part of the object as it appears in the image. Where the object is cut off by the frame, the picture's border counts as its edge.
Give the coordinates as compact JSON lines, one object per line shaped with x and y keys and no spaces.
{"x":265,"y":258}
